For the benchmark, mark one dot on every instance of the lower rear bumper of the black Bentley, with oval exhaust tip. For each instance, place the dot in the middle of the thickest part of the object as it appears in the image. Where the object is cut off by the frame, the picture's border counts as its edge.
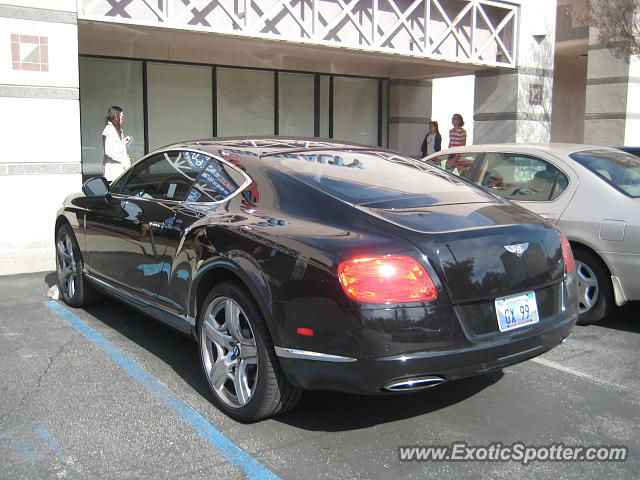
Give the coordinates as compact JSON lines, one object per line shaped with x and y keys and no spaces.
{"x":368,"y":376}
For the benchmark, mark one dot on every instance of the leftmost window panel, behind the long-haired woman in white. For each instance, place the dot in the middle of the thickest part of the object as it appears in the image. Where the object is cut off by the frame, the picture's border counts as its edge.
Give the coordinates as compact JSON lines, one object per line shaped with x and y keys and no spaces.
{"x":103,"y":83}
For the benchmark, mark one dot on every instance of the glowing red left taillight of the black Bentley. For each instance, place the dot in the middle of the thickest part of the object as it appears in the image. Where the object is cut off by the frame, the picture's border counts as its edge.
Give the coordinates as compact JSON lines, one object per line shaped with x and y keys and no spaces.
{"x":389,"y":279}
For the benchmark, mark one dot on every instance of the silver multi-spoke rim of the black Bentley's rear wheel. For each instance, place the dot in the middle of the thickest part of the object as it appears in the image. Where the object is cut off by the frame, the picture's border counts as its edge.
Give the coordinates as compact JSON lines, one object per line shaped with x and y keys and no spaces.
{"x":229,"y":352}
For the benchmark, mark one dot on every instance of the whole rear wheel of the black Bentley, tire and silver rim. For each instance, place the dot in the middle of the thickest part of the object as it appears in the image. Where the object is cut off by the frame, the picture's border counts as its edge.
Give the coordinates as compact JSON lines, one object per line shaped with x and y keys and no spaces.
{"x":238,"y":358}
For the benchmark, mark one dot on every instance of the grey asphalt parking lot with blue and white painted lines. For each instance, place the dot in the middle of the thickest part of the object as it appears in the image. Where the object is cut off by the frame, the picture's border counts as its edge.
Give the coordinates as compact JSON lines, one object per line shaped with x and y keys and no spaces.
{"x":105,"y":392}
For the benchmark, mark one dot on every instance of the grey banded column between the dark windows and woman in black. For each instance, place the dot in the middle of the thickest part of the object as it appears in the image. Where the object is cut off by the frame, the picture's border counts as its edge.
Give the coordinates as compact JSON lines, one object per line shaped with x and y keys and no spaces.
{"x":409,"y":115}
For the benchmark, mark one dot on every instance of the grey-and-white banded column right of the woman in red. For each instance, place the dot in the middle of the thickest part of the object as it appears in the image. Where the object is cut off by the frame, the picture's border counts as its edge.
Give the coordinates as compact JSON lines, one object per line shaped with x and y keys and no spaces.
{"x":514,"y":105}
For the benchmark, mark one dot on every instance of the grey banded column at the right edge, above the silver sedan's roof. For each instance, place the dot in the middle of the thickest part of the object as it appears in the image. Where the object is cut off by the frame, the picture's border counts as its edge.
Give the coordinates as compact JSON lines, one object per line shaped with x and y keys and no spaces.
{"x":612,"y":105}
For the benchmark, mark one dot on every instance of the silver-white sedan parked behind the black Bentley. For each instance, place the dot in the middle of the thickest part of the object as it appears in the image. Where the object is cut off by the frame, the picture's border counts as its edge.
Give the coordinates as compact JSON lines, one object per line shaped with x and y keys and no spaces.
{"x":590,"y":192}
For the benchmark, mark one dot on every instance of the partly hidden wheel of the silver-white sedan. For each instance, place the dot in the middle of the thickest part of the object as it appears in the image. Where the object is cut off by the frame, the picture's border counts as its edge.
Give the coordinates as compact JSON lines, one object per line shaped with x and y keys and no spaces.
{"x":594,"y":287}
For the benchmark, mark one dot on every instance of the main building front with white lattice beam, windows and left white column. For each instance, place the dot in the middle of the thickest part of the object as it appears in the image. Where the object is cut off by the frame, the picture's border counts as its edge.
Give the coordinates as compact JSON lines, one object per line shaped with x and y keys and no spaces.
{"x":358,"y":70}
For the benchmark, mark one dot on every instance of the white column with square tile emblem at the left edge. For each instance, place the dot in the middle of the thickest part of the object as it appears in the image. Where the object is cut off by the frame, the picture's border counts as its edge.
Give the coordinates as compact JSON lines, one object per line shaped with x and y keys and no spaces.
{"x":40,"y":125}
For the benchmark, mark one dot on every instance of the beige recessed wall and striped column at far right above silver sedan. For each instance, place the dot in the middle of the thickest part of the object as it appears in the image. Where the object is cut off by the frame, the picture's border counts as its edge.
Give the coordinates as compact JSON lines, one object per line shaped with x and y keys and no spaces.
{"x":596,"y":98}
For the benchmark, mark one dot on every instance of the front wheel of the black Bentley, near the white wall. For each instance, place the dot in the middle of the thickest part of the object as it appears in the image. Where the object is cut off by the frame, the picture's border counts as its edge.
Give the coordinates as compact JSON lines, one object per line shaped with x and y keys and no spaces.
{"x":74,"y":289}
